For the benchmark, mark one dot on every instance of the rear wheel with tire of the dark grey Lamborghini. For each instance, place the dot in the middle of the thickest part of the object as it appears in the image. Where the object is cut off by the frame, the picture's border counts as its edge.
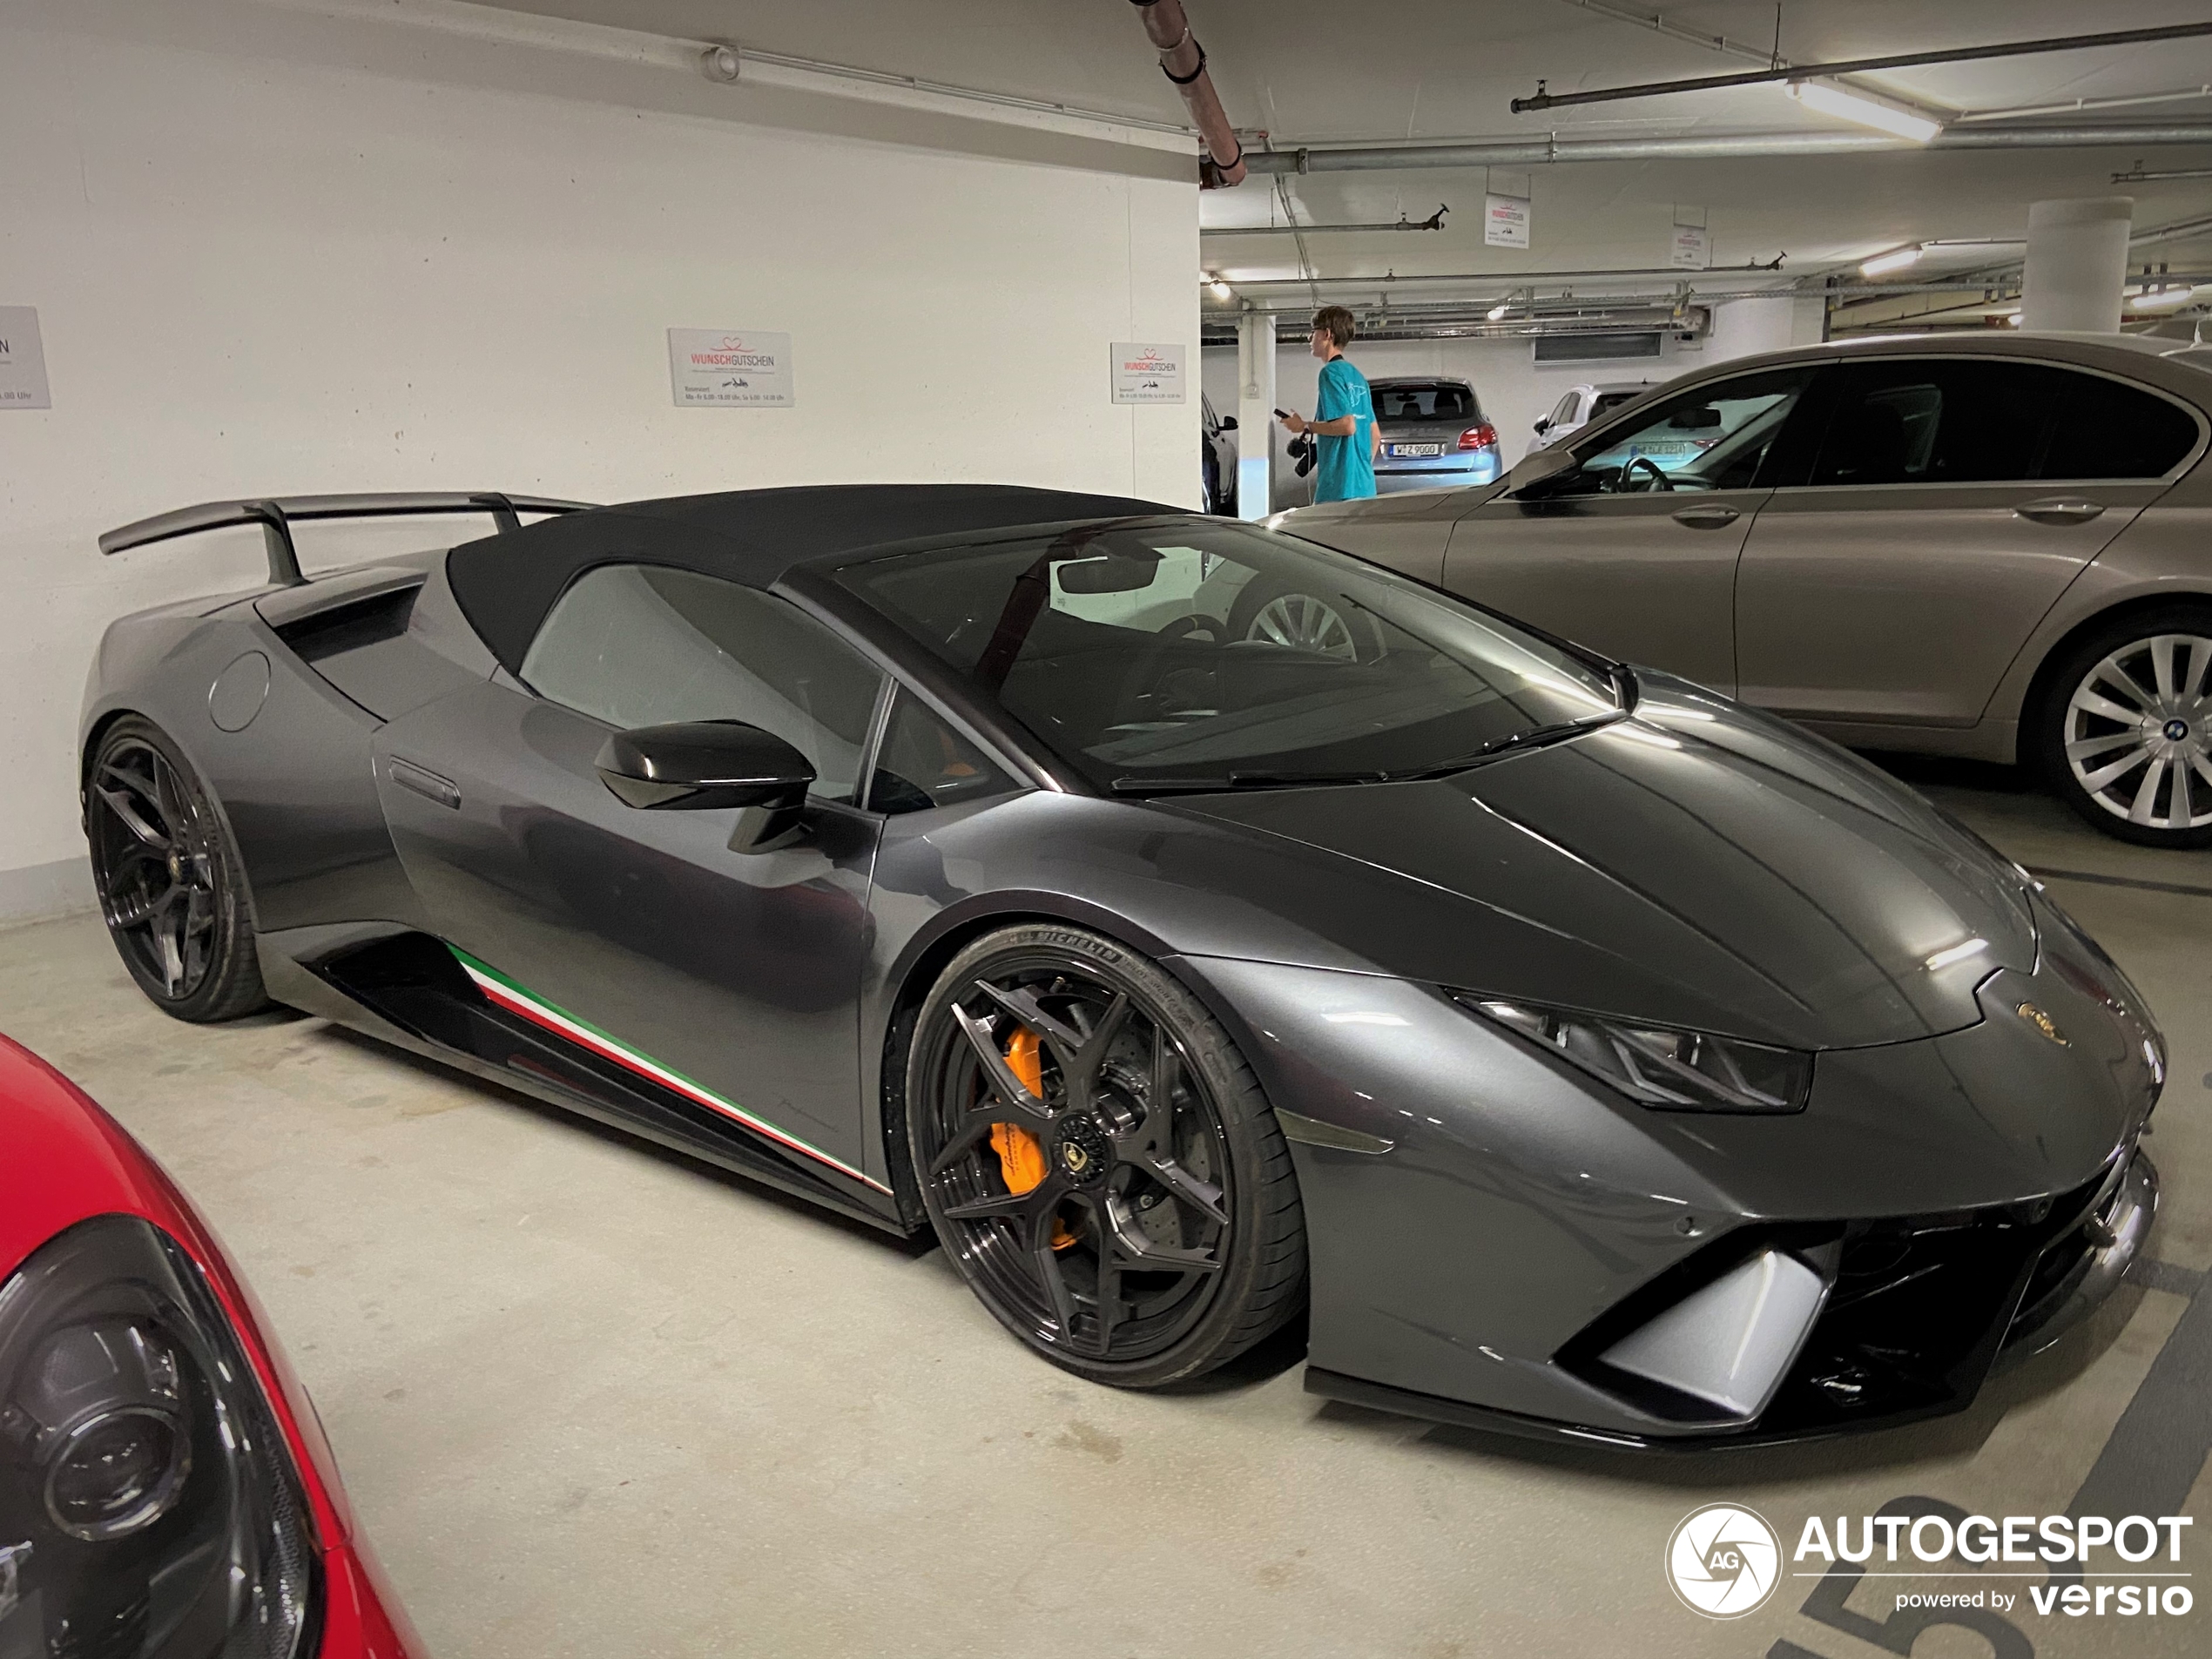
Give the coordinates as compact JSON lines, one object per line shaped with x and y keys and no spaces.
{"x":169,"y":877}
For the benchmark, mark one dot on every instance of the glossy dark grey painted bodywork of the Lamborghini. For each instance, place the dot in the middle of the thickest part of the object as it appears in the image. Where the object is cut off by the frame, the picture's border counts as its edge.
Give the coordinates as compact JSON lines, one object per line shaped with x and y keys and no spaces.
{"x":1691,"y":864}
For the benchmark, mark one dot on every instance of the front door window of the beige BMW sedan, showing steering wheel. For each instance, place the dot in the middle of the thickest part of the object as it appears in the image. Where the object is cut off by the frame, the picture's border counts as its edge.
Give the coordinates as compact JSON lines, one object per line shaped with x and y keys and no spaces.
{"x":1715,"y":437}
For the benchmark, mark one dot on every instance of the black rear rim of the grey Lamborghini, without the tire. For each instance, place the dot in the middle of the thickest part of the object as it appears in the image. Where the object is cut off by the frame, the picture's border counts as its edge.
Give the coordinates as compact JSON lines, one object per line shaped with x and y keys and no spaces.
{"x":156,"y":868}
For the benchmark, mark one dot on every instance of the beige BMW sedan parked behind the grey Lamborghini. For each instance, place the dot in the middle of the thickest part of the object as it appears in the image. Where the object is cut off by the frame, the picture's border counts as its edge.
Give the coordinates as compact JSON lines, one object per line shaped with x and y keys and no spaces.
{"x":1981,"y":547}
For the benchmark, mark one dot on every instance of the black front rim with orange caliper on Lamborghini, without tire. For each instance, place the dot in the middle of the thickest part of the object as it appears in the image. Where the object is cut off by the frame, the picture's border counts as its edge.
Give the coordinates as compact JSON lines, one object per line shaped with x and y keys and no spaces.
{"x":1116,"y":1253}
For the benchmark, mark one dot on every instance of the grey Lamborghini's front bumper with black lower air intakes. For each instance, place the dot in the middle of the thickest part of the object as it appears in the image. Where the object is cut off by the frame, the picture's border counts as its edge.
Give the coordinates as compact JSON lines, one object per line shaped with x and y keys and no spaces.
{"x":1485,"y":1231}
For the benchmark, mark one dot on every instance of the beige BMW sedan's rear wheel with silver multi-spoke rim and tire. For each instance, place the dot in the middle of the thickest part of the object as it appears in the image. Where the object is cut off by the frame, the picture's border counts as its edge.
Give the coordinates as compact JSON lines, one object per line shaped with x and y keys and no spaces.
{"x":2125,"y":727}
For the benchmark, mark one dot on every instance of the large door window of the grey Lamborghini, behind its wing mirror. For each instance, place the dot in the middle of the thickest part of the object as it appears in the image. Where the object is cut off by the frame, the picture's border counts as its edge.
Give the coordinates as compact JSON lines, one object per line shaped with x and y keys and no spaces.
{"x":645,"y":645}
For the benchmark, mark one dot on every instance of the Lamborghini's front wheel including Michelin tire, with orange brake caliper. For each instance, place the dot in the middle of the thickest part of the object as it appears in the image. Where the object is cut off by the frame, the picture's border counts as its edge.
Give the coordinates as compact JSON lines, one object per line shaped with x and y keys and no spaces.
{"x":1156,"y":1246}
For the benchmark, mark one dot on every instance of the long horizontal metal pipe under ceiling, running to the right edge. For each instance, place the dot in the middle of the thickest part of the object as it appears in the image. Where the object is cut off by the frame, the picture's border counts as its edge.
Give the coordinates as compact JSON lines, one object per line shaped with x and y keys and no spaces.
{"x":1485,"y":154}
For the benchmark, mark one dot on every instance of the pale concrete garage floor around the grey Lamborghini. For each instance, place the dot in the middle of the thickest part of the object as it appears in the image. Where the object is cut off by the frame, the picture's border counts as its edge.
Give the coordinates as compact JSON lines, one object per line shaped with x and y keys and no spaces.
{"x":598,"y":1401}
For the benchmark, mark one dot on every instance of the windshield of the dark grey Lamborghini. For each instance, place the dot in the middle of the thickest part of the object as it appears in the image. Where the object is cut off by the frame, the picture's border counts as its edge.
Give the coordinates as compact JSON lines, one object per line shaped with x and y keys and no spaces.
{"x":1193,"y":654}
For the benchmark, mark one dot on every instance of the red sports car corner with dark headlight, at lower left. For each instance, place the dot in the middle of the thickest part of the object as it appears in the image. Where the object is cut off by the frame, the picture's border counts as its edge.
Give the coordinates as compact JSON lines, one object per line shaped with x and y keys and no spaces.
{"x":165,"y":1485}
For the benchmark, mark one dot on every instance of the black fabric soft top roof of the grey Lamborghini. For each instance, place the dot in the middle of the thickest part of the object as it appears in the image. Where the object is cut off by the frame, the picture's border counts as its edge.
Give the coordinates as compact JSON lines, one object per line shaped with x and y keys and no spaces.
{"x":508,"y":583}
